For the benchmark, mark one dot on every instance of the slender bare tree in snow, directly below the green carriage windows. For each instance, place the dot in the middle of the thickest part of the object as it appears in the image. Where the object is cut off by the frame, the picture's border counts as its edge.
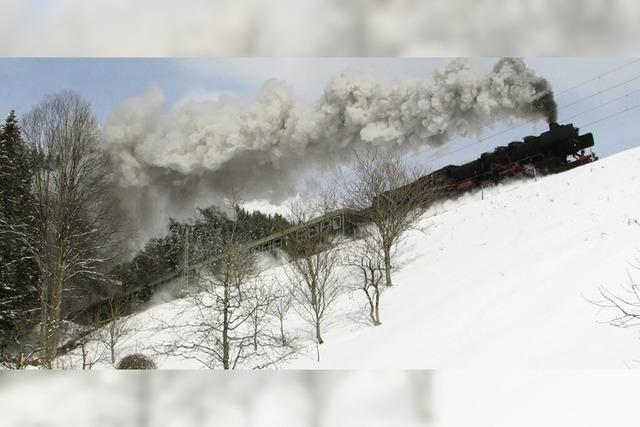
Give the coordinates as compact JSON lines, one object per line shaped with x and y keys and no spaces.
{"x":311,"y":270}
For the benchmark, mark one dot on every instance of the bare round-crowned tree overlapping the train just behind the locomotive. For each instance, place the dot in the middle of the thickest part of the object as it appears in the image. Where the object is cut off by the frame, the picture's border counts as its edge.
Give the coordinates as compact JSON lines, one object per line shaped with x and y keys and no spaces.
{"x":389,"y":194}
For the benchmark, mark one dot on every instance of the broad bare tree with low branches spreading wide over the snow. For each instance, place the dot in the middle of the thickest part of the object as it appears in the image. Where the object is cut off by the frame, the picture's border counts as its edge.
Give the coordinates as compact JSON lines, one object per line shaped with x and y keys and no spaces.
{"x":231,"y":328}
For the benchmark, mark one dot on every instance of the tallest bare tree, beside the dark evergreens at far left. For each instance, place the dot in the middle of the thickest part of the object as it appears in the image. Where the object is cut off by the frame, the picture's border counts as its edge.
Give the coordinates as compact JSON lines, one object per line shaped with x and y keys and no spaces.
{"x":77,"y":215}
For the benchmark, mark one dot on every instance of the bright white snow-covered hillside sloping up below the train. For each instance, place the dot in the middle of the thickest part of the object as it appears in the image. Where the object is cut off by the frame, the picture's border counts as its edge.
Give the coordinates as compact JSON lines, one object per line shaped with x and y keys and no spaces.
{"x":500,"y":279}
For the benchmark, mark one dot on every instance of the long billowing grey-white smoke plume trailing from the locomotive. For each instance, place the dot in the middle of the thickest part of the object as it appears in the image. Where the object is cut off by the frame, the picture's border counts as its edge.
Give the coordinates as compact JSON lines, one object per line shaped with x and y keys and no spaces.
{"x":267,"y":146}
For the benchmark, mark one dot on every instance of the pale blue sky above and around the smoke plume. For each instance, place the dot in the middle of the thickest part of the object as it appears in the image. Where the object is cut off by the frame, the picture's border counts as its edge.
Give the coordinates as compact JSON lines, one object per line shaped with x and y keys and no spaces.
{"x":107,"y":82}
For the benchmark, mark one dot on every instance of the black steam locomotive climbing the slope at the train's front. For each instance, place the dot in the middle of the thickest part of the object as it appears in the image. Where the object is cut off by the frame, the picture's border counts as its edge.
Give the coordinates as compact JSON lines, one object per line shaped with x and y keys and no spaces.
{"x":556,"y":150}
